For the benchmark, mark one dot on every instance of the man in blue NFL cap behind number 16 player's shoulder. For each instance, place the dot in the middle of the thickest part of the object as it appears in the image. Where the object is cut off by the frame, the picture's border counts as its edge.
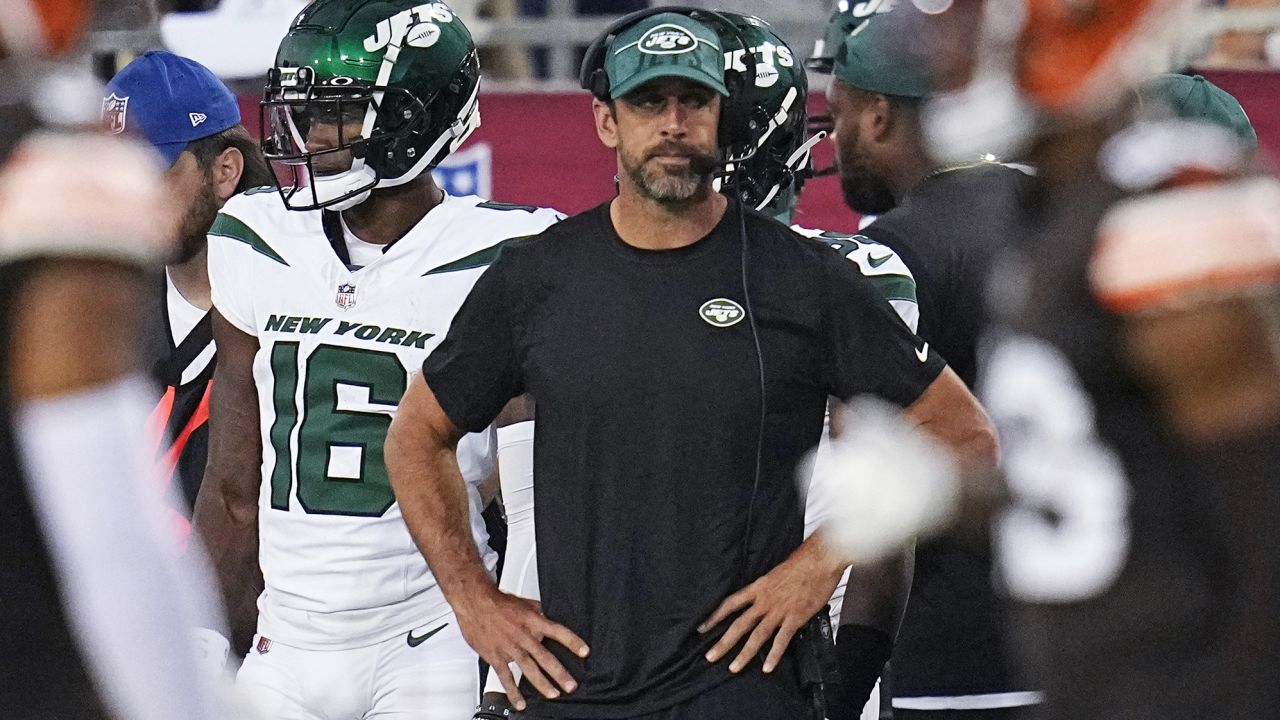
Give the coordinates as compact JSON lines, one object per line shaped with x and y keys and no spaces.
{"x":193,"y":121}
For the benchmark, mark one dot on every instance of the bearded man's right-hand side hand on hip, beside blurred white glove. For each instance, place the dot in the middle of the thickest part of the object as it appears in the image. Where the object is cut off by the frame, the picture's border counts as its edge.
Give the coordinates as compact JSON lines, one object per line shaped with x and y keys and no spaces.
{"x":776,"y":605}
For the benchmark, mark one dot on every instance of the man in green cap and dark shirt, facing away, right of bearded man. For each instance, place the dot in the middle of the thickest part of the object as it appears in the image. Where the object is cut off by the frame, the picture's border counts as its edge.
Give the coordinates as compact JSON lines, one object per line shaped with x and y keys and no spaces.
{"x":949,"y":222}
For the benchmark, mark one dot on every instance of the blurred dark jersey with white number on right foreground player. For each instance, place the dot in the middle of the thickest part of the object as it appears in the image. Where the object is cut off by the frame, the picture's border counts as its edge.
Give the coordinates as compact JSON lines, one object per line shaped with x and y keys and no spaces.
{"x":1149,"y":580}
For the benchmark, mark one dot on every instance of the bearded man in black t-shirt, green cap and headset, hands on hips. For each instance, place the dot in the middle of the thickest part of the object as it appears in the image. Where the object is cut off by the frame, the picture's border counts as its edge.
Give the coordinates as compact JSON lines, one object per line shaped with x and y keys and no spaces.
{"x":682,"y":350}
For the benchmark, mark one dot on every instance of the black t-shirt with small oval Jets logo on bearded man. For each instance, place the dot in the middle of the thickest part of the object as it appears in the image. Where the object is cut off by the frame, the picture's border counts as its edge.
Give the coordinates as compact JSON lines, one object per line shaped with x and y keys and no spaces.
{"x":647,"y":380}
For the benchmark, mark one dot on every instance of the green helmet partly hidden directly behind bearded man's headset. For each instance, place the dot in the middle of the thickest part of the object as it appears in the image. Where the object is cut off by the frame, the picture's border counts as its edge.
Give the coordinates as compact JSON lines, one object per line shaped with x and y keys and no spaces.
{"x":770,"y":174}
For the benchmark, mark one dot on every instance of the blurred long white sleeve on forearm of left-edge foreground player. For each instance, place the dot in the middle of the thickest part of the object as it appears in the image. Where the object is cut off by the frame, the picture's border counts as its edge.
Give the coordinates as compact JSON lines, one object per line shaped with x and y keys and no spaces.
{"x":129,"y":601}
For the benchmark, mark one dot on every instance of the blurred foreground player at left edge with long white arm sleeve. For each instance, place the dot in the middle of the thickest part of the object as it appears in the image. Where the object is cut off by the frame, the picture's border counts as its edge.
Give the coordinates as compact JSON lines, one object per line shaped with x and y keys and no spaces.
{"x":95,"y":610}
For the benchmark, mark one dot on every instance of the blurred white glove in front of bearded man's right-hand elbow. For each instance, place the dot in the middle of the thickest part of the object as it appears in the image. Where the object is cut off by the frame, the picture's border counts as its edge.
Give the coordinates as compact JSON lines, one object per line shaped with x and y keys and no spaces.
{"x":888,"y":482}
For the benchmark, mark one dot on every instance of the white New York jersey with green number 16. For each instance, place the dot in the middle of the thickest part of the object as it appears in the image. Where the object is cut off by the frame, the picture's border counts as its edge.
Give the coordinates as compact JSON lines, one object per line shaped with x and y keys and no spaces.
{"x":336,"y":352}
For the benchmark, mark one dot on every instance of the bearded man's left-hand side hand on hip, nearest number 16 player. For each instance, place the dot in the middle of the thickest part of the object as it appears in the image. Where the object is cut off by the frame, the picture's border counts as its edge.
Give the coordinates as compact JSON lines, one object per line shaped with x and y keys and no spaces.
{"x":504,"y":630}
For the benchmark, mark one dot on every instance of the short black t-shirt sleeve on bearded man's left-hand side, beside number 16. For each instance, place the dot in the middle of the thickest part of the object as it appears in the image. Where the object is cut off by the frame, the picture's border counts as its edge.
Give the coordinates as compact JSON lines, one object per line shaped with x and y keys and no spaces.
{"x":477,"y":370}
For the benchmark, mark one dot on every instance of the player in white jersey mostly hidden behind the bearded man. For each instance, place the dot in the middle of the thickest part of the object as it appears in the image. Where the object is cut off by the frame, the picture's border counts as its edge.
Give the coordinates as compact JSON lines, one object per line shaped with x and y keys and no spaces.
{"x":769,"y":180}
